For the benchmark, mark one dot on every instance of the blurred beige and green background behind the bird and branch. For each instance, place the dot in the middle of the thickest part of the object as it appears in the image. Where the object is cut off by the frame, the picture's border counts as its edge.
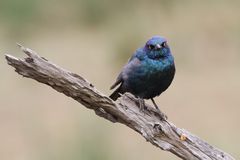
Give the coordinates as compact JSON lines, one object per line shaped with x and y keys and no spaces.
{"x":94,"y":39}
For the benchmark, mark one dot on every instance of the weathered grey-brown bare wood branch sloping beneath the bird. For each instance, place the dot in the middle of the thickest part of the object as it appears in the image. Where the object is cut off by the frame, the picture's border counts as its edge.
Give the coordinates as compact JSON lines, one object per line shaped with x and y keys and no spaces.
{"x":125,"y":110}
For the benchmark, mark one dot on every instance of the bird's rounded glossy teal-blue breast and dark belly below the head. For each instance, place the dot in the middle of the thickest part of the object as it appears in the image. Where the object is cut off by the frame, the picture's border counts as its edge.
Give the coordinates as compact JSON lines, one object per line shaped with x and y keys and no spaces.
{"x":150,"y":78}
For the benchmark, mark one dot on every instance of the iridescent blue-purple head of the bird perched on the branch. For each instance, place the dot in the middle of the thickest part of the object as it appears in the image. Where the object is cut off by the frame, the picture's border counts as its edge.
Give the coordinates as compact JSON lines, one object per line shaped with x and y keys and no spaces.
{"x":157,"y":48}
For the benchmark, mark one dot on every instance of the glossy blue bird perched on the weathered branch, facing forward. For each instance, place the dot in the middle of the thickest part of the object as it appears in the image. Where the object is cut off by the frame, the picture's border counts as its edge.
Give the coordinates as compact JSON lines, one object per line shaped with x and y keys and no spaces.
{"x":148,"y":73}
